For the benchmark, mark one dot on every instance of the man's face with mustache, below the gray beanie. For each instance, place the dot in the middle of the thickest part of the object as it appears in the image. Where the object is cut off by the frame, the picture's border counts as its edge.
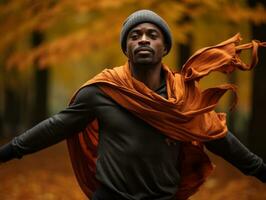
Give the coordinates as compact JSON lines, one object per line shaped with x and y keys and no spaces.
{"x":145,"y":44}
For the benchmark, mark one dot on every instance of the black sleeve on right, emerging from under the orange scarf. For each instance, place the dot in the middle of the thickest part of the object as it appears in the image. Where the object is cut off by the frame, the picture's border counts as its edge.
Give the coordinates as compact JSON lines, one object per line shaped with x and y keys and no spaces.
{"x":233,"y":151}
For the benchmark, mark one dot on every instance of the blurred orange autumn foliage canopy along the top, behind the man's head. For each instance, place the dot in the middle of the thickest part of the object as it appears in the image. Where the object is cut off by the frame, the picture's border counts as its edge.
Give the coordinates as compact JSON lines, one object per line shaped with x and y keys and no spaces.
{"x":95,"y":24}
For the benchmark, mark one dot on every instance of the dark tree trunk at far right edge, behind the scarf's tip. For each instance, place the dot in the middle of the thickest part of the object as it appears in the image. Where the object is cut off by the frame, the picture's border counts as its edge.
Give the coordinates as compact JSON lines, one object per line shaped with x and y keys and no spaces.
{"x":257,"y":136}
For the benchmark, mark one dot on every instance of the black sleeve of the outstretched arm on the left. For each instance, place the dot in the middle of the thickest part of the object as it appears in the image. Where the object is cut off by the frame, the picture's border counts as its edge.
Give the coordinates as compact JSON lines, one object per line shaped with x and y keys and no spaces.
{"x":54,"y":129}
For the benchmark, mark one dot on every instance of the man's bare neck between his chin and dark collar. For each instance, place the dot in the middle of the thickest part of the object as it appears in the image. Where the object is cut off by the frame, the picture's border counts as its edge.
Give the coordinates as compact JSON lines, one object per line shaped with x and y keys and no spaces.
{"x":150,"y":75}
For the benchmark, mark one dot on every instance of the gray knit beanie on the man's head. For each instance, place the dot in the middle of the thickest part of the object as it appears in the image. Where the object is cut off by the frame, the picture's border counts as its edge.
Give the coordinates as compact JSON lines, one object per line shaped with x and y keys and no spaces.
{"x":143,"y":16}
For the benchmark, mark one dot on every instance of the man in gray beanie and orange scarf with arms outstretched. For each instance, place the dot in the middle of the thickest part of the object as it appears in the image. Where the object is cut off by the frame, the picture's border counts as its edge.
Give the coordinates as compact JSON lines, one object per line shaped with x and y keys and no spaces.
{"x":152,"y":123}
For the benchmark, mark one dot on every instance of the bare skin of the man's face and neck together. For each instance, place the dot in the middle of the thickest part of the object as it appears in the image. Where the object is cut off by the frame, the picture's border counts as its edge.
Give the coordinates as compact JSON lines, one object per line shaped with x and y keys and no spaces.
{"x":145,"y":50}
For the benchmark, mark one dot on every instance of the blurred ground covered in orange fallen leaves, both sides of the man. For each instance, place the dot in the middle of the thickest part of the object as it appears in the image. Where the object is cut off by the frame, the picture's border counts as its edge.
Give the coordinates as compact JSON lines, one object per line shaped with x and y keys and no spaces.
{"x":48,"y":175}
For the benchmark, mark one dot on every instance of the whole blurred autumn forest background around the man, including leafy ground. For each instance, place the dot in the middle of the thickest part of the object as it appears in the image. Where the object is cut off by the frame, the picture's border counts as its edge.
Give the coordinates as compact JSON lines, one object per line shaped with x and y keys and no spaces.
{"x":48,"y":49}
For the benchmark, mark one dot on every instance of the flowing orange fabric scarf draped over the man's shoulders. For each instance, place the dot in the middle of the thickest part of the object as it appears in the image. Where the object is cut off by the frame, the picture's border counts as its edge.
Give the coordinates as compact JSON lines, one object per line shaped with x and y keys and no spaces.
{"x":186,"y":115}
